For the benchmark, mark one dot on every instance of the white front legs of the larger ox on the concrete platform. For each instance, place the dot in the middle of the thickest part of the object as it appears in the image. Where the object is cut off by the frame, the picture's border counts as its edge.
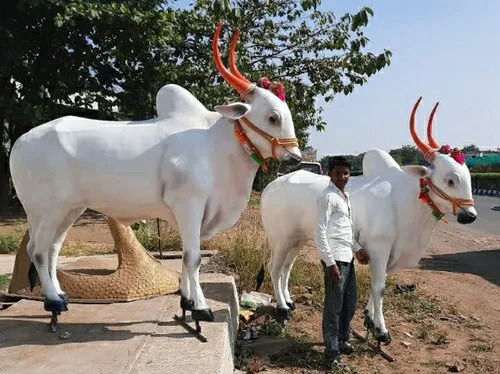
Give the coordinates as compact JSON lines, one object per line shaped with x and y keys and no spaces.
{"x":189,"y":219}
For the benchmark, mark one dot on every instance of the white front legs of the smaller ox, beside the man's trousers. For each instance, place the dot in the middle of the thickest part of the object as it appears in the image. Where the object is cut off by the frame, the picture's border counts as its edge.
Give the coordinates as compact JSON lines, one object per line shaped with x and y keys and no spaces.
{"x":378,"y":274}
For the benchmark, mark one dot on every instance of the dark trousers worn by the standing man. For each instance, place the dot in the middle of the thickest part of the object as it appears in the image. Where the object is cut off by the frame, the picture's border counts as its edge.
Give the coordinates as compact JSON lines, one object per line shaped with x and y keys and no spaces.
{"x":340,"y":305}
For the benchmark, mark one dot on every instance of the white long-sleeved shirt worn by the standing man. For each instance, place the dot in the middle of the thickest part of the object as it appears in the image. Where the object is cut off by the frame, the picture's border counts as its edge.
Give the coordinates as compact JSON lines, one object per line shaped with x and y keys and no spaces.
{"x":334,"y":236}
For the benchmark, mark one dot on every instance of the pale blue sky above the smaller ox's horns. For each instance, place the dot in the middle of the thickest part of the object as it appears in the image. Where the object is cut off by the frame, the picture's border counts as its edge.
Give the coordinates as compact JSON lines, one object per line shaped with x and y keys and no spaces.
{"x":446,"y":51}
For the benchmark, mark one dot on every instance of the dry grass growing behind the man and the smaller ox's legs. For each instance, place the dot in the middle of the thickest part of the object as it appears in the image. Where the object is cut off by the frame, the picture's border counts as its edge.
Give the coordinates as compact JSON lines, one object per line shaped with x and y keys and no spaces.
{"x":243,"y":250}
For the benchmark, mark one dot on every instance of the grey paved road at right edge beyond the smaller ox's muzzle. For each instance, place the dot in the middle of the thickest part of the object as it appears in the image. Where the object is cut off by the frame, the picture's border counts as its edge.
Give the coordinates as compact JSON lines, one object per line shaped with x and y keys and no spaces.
{"x":488,"y":219}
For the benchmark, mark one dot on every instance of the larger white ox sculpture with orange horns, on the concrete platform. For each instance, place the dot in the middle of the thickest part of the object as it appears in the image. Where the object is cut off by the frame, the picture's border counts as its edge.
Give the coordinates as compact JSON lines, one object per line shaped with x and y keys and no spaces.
{"x":189,"y":166}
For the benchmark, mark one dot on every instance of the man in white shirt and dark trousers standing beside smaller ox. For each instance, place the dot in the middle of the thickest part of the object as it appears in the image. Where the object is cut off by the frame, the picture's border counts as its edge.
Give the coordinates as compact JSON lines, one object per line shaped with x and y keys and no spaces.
{"x":335,"y":243}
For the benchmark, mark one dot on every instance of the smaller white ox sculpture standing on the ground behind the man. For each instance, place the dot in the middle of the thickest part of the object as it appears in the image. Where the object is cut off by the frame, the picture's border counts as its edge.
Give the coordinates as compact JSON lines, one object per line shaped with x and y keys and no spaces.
{"x":389,"y":219}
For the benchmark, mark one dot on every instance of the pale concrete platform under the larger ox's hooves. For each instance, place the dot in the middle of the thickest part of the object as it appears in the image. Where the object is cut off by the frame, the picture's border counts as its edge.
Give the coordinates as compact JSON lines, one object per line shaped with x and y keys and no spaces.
{"x":137,"y":337}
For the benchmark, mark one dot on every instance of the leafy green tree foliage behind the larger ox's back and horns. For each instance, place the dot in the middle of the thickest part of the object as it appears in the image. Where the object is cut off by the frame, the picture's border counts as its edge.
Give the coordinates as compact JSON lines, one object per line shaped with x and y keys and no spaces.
{"x":59,"y":57}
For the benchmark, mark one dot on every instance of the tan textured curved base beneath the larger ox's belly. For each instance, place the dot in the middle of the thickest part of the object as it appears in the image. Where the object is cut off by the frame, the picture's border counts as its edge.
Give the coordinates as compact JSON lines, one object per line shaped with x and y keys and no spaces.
{"x":138,"y":276}
